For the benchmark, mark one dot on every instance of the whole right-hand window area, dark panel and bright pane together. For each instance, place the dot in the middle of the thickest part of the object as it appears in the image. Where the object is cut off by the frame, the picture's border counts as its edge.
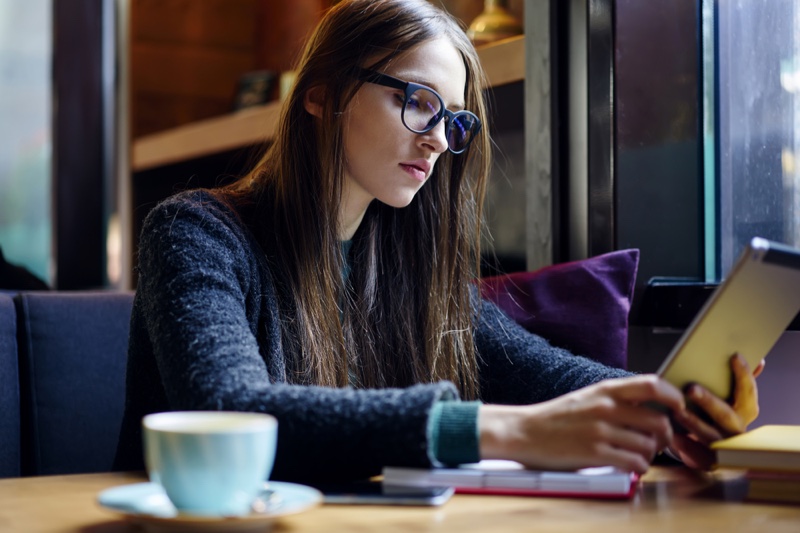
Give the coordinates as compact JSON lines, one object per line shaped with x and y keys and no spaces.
{"x":707,"y":106}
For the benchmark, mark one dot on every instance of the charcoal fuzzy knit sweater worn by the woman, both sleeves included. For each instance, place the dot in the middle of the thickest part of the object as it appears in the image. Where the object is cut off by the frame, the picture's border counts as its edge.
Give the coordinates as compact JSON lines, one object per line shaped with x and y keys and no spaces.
{"x":205,"y":334}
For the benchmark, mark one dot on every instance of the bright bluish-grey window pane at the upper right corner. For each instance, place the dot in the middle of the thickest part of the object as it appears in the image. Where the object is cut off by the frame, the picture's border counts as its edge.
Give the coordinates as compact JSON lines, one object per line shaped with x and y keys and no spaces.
{"x":758,"y":124}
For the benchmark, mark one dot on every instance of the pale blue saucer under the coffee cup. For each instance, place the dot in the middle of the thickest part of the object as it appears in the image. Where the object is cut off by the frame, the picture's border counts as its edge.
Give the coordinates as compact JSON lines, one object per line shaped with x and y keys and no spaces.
{"x":148,"y":505}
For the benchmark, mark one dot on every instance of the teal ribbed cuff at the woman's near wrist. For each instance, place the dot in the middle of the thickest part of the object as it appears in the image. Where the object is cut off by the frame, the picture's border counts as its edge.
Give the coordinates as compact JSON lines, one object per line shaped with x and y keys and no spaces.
{"x":453,"y":430}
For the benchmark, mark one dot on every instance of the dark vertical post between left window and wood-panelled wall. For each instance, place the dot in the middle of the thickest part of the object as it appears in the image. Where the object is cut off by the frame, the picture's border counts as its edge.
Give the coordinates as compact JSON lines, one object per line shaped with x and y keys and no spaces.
{"x":80,"y":155}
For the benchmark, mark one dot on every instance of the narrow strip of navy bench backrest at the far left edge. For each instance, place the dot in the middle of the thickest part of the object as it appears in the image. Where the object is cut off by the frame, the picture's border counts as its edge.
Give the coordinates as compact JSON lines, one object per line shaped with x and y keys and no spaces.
{"x":9,"y":390}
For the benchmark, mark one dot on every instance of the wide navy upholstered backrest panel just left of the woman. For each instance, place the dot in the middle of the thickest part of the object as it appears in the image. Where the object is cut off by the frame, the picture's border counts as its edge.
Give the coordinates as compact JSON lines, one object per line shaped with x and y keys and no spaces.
{"x":72,"y":354}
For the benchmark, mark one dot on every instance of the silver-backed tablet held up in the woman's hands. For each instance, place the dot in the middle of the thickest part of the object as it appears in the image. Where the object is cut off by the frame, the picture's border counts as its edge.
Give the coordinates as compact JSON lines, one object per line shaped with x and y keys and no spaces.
{"x":747,"y":314}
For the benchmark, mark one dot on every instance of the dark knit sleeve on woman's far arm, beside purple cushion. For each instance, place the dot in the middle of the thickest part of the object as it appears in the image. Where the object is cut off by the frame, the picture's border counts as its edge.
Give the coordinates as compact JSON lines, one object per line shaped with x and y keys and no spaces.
{"x":519,"y":367}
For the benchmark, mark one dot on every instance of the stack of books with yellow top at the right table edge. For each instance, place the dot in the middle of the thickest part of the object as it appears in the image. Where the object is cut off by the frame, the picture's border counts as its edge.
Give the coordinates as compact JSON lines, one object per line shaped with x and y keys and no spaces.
{"x":771,"y":456}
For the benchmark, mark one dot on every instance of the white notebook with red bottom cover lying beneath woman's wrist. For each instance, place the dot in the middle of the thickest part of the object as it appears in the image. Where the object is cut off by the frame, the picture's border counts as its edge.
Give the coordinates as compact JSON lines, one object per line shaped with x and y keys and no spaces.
{"x":511,"y":478}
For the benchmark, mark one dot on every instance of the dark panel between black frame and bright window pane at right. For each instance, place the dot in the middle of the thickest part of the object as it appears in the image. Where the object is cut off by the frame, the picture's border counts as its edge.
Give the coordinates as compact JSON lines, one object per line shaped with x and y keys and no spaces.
{"x":658,"y":120}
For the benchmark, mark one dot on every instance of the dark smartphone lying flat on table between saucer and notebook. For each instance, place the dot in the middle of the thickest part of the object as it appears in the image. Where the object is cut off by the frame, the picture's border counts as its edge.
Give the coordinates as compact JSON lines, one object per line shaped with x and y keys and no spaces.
{"x":376,"y":493}
